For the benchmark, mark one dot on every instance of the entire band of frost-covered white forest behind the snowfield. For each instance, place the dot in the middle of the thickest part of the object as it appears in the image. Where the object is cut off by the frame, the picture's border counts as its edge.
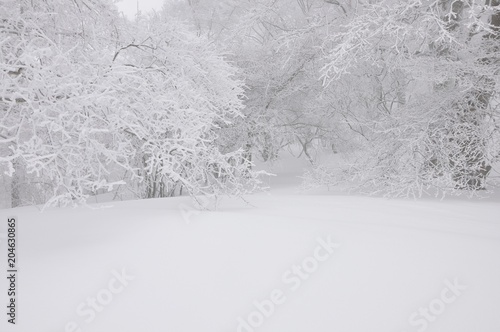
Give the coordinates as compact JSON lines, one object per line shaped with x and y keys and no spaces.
{"x":184,"y":101}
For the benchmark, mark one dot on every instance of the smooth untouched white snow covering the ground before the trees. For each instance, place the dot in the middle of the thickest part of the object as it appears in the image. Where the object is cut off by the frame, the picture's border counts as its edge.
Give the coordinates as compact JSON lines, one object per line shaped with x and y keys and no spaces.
{"x":288,"y":262}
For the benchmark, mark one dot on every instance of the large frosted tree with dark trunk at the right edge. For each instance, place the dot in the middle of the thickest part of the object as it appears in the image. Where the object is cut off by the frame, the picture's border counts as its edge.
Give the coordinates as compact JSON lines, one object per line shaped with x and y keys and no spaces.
{"x":426,"y":108}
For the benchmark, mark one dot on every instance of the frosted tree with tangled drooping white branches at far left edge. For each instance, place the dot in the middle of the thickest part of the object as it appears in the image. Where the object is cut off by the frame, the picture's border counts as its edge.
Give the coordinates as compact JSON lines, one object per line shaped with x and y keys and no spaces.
{"x":50,"y":60}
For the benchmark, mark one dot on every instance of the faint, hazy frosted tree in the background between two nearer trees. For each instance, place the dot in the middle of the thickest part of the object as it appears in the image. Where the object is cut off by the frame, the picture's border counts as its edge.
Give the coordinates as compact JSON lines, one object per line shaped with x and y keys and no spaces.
{"x":276,"y":46}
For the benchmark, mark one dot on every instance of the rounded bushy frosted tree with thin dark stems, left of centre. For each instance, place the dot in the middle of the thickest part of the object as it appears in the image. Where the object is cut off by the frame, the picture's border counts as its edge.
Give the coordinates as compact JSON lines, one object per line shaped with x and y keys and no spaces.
{"x":190,"y":93}
